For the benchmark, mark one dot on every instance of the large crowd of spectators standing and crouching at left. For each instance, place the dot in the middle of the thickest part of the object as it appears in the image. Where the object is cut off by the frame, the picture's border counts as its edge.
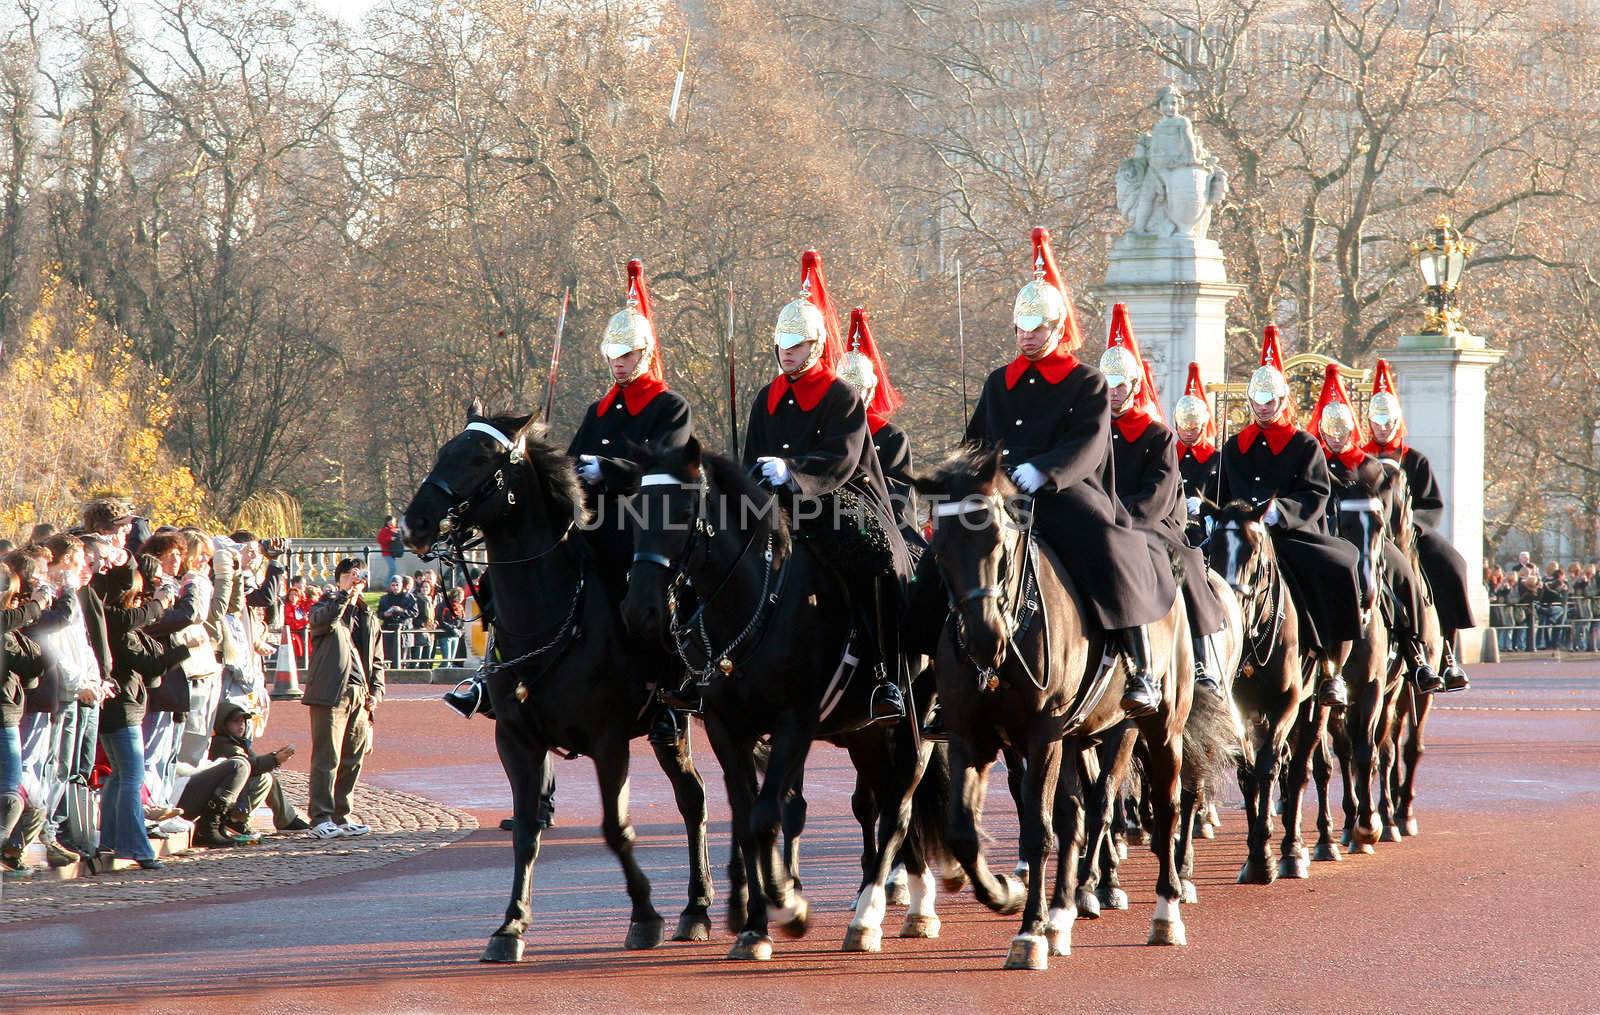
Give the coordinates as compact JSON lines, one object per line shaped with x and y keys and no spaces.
{"x":137,"y":668}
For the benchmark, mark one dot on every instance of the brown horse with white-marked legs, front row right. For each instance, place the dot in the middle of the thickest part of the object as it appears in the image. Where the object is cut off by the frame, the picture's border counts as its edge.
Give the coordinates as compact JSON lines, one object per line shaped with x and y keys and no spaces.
{"x":1018,"y":667}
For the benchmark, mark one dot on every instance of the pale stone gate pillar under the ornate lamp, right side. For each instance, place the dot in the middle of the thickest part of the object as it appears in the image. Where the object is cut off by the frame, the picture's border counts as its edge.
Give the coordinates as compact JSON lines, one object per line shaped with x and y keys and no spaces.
{"x":1442,"y":385}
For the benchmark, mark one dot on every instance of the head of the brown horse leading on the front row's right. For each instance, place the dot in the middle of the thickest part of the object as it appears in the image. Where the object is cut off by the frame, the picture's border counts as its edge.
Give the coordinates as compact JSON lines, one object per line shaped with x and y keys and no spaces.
{"x":974,"y":532}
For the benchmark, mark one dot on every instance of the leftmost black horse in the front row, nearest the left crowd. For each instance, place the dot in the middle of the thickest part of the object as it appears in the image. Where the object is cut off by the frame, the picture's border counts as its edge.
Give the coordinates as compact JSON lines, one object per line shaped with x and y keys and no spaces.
{"x":566,"y":678}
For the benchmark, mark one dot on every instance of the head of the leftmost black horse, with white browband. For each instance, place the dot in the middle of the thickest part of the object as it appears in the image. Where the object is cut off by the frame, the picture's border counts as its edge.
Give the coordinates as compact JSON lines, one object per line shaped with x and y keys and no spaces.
{"x":471,"y":484}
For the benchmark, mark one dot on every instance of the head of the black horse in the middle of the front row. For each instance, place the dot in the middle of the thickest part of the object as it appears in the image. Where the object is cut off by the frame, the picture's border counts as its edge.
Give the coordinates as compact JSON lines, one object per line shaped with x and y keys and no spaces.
{"x":670,"y":500}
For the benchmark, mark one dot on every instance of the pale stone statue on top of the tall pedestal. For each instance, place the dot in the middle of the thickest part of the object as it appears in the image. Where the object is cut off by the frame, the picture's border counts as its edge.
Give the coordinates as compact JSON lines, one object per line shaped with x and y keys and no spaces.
{"x":1170,"y":185}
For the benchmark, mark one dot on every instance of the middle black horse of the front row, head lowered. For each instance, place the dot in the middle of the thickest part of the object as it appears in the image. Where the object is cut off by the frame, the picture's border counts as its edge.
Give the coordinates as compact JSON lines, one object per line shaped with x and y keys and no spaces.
{"x":769,"y":633}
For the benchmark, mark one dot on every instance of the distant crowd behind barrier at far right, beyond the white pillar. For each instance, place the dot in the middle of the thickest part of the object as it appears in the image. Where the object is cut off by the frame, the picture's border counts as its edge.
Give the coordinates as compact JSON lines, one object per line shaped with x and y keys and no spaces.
{"x":1535,"y":611}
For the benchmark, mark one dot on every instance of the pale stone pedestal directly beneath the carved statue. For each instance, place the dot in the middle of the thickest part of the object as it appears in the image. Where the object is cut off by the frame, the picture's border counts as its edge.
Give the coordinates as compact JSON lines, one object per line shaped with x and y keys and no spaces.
{"x":1177,"y":291}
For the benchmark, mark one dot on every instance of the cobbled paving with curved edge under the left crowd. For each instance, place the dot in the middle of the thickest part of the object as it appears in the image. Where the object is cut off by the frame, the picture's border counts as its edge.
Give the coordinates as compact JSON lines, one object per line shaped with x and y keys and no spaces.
{"x":404,"y":827}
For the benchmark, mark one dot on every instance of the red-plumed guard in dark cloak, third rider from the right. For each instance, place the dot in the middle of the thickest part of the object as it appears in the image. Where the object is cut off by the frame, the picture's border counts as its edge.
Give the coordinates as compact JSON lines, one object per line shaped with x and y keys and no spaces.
{"x":1276,"y":463}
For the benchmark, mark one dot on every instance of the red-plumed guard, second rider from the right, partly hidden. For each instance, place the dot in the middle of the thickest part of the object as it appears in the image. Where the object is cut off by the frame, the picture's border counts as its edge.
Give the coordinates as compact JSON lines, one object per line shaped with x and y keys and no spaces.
{"x":1358,"y":476}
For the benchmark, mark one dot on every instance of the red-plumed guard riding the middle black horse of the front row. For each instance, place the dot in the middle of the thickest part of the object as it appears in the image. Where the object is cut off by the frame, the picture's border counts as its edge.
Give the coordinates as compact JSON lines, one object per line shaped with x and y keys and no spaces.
{"x":810,"y":439}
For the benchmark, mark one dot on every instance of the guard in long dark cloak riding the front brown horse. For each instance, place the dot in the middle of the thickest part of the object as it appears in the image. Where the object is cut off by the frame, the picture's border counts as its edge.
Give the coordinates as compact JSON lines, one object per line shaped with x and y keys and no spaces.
{"x":1050,"y":417}
